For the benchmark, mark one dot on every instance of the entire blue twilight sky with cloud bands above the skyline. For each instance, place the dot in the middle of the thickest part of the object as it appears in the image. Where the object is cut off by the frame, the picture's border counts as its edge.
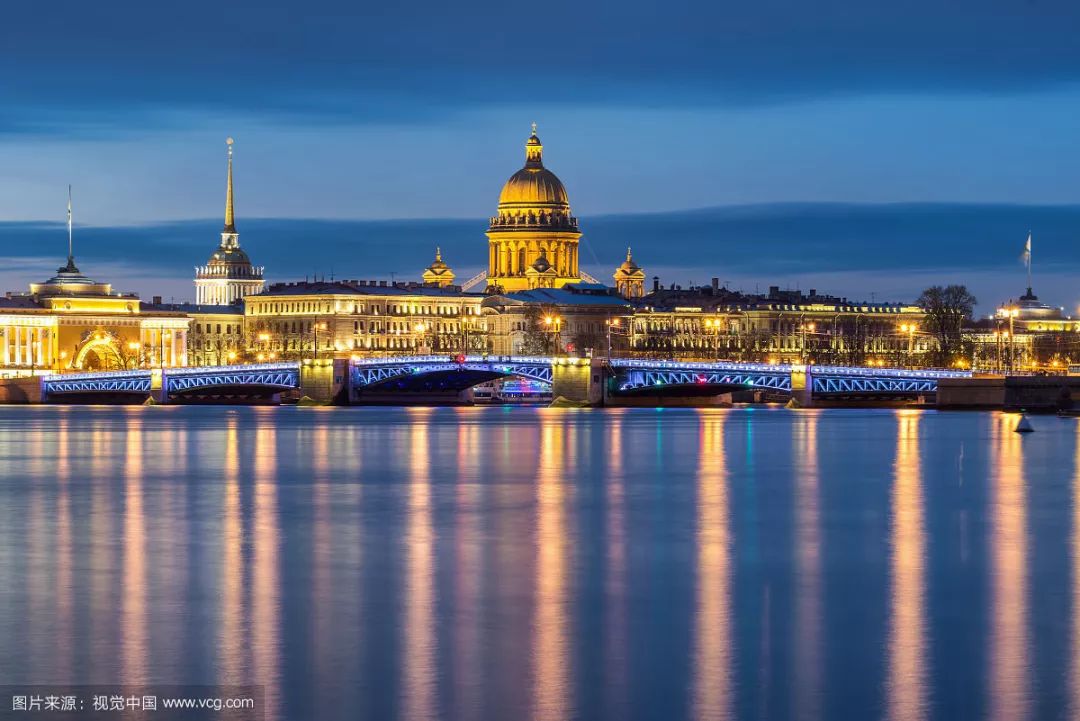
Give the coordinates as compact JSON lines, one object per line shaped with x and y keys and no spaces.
{"x":347,"y":112}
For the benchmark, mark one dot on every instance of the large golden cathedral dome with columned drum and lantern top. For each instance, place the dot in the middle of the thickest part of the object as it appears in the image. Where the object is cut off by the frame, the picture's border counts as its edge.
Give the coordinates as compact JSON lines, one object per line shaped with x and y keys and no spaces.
{"x":533,"y":240}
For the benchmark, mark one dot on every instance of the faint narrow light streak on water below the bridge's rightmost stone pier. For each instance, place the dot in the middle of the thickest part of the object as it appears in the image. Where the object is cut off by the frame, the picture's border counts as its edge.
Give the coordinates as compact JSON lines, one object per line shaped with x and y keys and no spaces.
{"x":807,"y":695}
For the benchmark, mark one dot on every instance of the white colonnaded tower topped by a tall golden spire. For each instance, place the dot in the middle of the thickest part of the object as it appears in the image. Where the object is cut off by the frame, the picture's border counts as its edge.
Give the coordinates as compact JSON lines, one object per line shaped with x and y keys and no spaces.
{"x":228,"y":276}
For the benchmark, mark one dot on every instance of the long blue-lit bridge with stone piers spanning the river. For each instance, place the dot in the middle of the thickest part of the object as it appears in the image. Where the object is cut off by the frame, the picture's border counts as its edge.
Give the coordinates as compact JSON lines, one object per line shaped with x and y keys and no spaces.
{"x":404,"y":379}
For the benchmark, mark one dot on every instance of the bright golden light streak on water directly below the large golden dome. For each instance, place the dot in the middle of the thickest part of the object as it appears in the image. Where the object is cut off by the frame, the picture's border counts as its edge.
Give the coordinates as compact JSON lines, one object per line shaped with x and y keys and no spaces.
{"x":551,"y":624}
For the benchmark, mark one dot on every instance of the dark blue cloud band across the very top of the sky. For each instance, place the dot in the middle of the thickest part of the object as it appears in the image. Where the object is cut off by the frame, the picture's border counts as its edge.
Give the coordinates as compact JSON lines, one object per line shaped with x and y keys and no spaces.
{"x":88,"y":66}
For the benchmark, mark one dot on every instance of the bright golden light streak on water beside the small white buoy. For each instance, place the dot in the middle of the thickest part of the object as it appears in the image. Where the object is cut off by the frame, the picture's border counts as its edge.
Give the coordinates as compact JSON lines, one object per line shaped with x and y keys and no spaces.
{"x":1008,"y":538}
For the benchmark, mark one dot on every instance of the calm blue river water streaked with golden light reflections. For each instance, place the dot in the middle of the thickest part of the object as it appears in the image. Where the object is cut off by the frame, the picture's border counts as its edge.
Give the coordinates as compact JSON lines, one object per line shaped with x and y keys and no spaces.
{"x":539,"y":564}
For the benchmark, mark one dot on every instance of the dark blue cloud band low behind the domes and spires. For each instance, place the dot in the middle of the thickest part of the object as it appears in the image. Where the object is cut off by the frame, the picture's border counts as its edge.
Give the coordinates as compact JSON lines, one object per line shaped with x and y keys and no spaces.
{"x":857,"y":251}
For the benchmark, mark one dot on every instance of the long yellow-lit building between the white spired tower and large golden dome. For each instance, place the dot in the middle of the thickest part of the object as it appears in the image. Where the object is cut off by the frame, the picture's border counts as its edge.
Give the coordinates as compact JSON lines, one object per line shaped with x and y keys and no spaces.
{"x":291,"y":321}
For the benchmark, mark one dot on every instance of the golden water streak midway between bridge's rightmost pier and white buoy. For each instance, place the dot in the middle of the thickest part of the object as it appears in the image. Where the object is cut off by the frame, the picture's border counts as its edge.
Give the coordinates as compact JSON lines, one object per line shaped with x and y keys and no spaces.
{"x":908,"y":645}
